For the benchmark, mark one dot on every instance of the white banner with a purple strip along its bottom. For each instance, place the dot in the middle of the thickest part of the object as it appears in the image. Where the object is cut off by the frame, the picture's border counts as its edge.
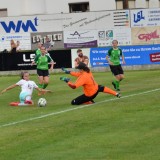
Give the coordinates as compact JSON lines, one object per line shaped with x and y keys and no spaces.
{"x":80,"y":39}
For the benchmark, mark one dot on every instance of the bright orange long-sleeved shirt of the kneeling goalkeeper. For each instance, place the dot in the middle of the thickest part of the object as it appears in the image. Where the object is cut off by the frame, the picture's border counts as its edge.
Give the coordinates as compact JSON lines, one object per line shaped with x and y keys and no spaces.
{"x":86,"y":80}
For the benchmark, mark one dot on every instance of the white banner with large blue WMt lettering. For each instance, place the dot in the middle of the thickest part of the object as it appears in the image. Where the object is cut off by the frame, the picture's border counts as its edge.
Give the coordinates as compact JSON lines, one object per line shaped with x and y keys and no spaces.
{"x":28,"y":24}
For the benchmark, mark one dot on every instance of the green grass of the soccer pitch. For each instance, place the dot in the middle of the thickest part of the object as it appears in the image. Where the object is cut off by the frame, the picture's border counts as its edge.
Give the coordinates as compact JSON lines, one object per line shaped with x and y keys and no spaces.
{"x":122,"y":129}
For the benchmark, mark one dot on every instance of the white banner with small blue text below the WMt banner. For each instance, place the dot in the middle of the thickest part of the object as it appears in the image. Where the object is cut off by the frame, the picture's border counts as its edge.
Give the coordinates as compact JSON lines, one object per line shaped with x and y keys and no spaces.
{"x":23,"y":38}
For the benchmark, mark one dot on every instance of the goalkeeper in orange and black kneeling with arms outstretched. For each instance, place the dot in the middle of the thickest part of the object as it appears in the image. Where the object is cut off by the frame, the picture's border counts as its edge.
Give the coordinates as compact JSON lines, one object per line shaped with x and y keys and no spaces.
{"x":90,"y":86}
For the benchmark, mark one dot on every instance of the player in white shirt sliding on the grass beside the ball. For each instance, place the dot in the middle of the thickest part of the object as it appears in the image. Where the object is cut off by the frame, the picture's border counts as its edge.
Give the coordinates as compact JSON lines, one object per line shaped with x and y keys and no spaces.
{"x":27,"y":87}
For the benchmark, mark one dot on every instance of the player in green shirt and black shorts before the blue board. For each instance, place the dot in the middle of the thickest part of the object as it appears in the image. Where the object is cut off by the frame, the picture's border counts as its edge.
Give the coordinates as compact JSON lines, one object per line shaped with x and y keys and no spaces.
{"x":113,"y":59}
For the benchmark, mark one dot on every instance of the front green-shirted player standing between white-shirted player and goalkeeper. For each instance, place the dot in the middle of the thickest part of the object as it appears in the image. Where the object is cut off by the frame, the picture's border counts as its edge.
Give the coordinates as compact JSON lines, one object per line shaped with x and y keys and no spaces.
{"x":42,"y":61}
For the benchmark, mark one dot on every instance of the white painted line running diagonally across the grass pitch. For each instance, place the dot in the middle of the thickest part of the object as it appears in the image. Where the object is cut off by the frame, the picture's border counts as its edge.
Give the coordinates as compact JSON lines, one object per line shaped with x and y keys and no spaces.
{"x":77,"y":107}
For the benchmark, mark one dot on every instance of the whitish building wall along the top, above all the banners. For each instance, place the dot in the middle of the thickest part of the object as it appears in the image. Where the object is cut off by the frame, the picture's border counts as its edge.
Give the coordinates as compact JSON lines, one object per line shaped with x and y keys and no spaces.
{"x":31,"y":7}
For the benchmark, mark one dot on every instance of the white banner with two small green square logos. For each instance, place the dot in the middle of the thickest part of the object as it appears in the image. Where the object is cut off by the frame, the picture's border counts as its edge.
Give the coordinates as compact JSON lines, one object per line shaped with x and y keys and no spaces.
{"x":105,"y":37}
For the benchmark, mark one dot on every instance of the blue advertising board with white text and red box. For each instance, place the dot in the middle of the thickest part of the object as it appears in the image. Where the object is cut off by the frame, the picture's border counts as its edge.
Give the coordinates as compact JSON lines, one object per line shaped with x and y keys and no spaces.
{"x":134,"y":55}
